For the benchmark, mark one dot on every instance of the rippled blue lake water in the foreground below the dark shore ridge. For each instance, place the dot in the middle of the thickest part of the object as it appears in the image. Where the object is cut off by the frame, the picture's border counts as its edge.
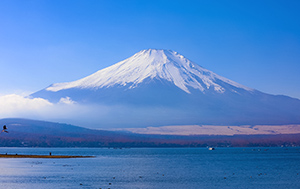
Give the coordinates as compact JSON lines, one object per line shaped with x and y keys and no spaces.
{"x":153,"y":168}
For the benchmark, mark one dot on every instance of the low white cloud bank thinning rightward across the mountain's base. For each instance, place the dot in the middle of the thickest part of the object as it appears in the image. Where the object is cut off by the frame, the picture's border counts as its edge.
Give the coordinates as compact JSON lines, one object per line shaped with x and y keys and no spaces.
{"x":89,"y":115}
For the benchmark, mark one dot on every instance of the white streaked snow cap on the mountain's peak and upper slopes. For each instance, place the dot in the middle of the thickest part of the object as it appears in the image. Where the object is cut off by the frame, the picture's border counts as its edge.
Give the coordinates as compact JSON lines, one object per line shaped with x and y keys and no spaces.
{"x":160,"y":64}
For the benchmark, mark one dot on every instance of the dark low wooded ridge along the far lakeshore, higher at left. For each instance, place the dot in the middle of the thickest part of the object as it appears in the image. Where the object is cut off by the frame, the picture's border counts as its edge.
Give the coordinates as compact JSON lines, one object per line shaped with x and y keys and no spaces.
{"x":34,"y":133}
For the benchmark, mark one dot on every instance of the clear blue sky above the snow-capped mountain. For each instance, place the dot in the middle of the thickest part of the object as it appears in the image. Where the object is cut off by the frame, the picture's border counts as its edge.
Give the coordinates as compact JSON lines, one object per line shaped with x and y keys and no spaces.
{"x":255,"y":43}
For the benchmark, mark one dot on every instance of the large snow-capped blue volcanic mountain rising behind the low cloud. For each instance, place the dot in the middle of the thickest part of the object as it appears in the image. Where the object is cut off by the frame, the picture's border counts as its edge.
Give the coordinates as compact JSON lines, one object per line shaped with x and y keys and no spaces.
{"x":162,"y":87}
